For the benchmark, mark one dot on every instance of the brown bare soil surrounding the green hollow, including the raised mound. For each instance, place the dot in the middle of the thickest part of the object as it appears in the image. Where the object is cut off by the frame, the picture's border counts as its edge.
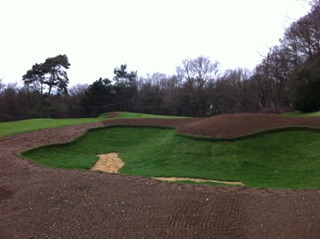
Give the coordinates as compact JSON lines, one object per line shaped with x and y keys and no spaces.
{"x":42,"y":202}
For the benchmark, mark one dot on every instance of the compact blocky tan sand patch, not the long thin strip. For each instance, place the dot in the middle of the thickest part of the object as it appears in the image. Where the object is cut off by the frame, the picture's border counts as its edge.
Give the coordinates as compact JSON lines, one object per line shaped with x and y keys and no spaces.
{"x":109,"y":163}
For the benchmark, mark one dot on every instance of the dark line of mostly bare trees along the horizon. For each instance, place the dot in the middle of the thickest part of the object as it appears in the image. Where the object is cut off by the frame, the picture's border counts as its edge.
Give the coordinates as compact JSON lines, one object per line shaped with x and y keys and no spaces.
{"x":287,"y":78}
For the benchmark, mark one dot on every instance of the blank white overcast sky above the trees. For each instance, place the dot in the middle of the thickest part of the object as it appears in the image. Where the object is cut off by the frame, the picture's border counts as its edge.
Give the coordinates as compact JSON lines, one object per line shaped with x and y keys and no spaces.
{"x":148,"y":35}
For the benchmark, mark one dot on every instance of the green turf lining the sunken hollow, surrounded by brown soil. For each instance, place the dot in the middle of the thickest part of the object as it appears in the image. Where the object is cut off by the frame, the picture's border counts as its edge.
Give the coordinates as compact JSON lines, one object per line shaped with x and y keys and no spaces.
{"x":288,"y":159}
